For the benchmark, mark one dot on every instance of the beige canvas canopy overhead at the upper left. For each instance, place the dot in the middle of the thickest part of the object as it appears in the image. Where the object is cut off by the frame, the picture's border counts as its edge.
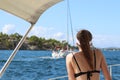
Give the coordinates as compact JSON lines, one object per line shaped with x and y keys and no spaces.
{"x":29,"y":10}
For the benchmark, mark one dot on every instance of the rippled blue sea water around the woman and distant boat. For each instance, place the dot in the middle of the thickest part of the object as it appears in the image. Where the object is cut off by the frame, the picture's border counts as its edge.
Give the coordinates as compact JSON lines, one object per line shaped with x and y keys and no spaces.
{"x":39,"y":65}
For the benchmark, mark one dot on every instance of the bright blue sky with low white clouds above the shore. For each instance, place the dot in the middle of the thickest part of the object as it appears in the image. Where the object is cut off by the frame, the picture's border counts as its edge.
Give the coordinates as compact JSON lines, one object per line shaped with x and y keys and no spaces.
{"x":100,"y":17}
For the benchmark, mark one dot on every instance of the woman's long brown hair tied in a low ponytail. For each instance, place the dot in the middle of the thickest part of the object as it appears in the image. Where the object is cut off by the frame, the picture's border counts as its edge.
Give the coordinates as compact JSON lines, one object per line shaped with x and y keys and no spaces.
{"x":84,"y":37}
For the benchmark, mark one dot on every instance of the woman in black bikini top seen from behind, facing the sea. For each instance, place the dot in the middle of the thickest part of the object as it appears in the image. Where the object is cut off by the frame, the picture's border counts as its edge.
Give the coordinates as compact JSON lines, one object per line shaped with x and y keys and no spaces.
{"x":87,"y":63}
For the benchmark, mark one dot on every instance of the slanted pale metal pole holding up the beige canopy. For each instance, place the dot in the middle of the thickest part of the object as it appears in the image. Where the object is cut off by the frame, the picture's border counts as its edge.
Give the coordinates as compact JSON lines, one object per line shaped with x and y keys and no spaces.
{"x":15,"y":51}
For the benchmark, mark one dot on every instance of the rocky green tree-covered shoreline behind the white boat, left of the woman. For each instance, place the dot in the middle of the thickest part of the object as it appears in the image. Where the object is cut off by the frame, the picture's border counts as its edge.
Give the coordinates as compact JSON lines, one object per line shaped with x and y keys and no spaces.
{"x":9,"y":42}
